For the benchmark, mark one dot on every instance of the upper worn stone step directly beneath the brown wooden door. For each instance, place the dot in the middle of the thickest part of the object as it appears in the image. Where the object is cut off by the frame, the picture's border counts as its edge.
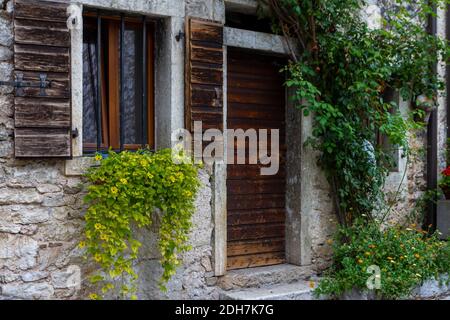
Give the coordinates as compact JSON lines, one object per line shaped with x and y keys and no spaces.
{"x":264,"y":276}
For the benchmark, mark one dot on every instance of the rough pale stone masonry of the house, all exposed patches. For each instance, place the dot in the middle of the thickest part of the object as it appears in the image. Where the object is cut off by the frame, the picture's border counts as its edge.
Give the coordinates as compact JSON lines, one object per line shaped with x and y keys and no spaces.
{"x":41,"y":208}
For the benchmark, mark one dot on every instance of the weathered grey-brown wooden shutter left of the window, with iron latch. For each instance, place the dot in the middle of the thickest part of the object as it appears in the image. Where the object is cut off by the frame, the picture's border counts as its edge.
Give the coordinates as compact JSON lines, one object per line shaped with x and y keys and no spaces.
{"x":42,"y":47}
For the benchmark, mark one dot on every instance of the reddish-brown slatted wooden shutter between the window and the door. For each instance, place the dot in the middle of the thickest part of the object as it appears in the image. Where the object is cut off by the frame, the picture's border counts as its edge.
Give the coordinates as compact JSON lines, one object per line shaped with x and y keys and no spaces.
{"x":204,"y":74}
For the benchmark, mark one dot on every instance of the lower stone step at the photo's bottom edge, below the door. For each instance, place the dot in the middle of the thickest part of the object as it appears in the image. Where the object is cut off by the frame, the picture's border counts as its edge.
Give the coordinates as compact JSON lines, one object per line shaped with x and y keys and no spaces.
{"x":299,"y":290}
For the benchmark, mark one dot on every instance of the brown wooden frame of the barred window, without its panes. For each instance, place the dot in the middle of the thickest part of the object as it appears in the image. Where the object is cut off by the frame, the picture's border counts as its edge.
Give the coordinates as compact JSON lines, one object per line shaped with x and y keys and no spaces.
{"x":110,"y":84}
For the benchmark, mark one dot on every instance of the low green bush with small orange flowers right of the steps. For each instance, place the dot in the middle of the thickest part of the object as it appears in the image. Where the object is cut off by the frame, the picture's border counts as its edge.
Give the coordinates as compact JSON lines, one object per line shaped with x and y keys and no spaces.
{"x":405,"y":257}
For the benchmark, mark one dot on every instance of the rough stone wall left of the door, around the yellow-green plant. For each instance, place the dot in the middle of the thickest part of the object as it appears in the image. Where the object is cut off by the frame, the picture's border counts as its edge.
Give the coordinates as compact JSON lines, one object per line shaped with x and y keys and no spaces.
{"x":41,"y":221}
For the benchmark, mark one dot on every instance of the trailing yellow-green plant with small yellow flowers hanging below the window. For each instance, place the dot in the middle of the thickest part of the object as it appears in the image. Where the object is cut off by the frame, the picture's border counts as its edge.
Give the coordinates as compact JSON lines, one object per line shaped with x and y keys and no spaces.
{"x":128,"y":190}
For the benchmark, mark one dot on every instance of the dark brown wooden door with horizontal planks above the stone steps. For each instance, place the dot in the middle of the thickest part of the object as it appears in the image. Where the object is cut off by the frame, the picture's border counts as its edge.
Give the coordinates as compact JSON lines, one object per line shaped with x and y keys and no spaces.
{"x":256,"y":203}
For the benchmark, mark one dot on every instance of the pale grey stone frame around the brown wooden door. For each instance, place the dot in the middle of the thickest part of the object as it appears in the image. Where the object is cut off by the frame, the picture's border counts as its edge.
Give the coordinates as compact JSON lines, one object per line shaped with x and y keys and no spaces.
{"x":298,"y":234}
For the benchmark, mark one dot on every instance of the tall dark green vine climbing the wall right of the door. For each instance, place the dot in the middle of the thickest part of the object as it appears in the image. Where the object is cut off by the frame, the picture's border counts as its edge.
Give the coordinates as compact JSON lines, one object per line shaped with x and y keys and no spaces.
{"x":345,"y":74}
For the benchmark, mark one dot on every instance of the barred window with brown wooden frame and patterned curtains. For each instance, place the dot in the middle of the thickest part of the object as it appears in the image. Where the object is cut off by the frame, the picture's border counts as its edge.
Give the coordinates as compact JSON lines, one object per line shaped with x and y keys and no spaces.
{"x":118,"y":85}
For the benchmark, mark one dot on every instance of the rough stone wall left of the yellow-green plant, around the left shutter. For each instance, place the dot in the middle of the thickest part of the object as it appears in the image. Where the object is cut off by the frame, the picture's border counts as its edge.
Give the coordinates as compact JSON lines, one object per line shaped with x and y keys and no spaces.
{"x":40,"y":208}
